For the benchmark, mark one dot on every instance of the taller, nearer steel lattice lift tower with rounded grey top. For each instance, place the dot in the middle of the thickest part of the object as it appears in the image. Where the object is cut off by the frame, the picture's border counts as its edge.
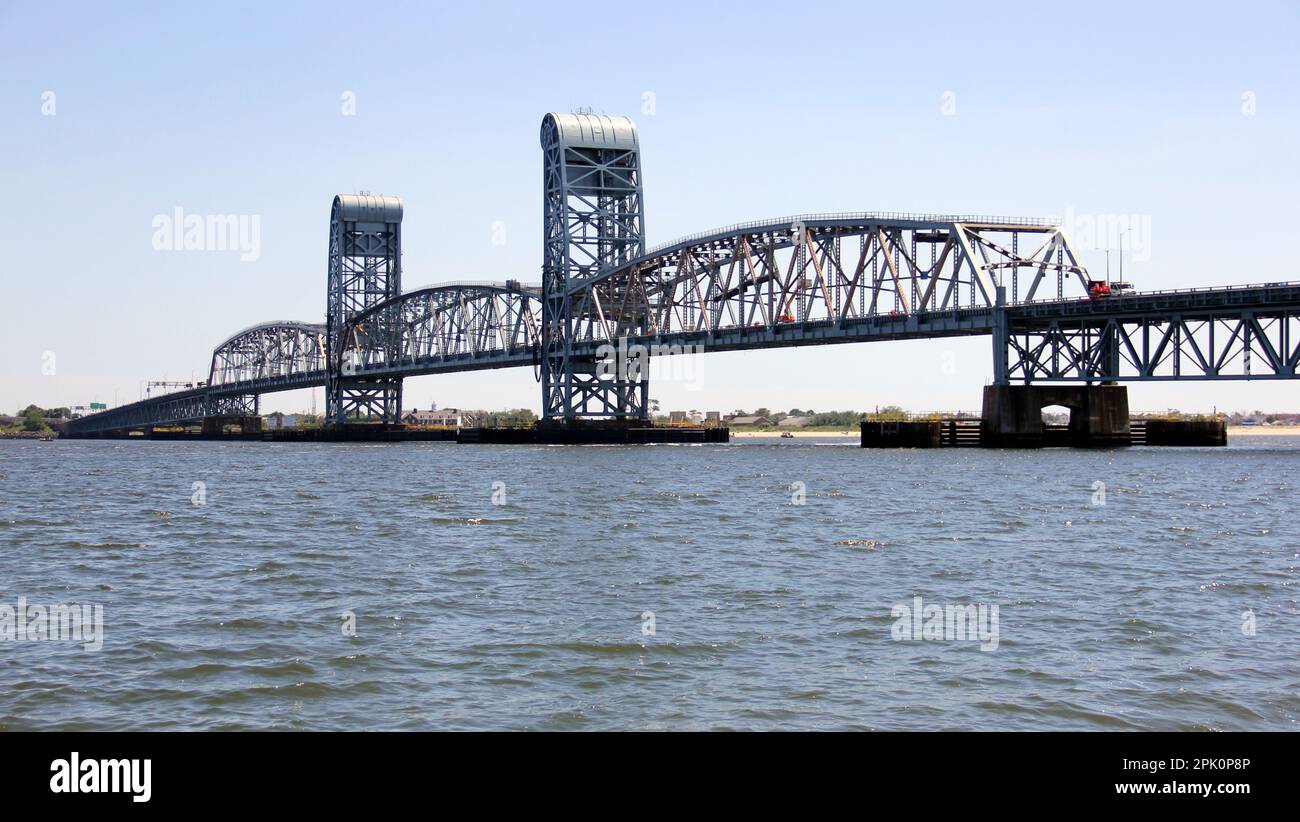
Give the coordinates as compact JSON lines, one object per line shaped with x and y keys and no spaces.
{"x":593,"y":220}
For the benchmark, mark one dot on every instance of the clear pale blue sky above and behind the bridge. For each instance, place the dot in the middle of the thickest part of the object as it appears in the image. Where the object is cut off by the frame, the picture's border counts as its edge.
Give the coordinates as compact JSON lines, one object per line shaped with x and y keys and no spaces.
{"x":761,"y":110}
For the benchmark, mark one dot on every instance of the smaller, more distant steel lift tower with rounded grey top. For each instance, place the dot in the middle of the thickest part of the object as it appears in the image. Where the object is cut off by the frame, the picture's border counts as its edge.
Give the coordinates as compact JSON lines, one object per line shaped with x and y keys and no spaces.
{"x":365,"y":270}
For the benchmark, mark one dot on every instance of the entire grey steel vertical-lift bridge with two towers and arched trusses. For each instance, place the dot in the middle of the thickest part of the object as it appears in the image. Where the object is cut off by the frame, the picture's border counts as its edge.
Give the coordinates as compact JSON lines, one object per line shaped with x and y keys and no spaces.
{"x":606,"y":302}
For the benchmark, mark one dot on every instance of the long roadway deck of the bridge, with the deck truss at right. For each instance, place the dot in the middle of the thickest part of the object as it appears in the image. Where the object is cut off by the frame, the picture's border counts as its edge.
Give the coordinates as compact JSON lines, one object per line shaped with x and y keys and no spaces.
{"x":1171,"y":314}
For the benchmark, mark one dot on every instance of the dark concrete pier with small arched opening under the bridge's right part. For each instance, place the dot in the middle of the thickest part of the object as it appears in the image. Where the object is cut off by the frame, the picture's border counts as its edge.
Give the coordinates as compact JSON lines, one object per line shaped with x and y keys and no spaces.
{"x":1013,"y":416}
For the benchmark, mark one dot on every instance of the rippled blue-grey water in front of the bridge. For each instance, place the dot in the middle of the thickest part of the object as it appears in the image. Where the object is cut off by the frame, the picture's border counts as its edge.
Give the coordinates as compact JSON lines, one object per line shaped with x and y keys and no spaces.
{"x":766,"y":615}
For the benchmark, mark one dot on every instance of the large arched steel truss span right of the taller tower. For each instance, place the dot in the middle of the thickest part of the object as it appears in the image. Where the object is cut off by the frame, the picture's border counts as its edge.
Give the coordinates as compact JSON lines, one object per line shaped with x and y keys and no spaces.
{"x":817,"y":269}
